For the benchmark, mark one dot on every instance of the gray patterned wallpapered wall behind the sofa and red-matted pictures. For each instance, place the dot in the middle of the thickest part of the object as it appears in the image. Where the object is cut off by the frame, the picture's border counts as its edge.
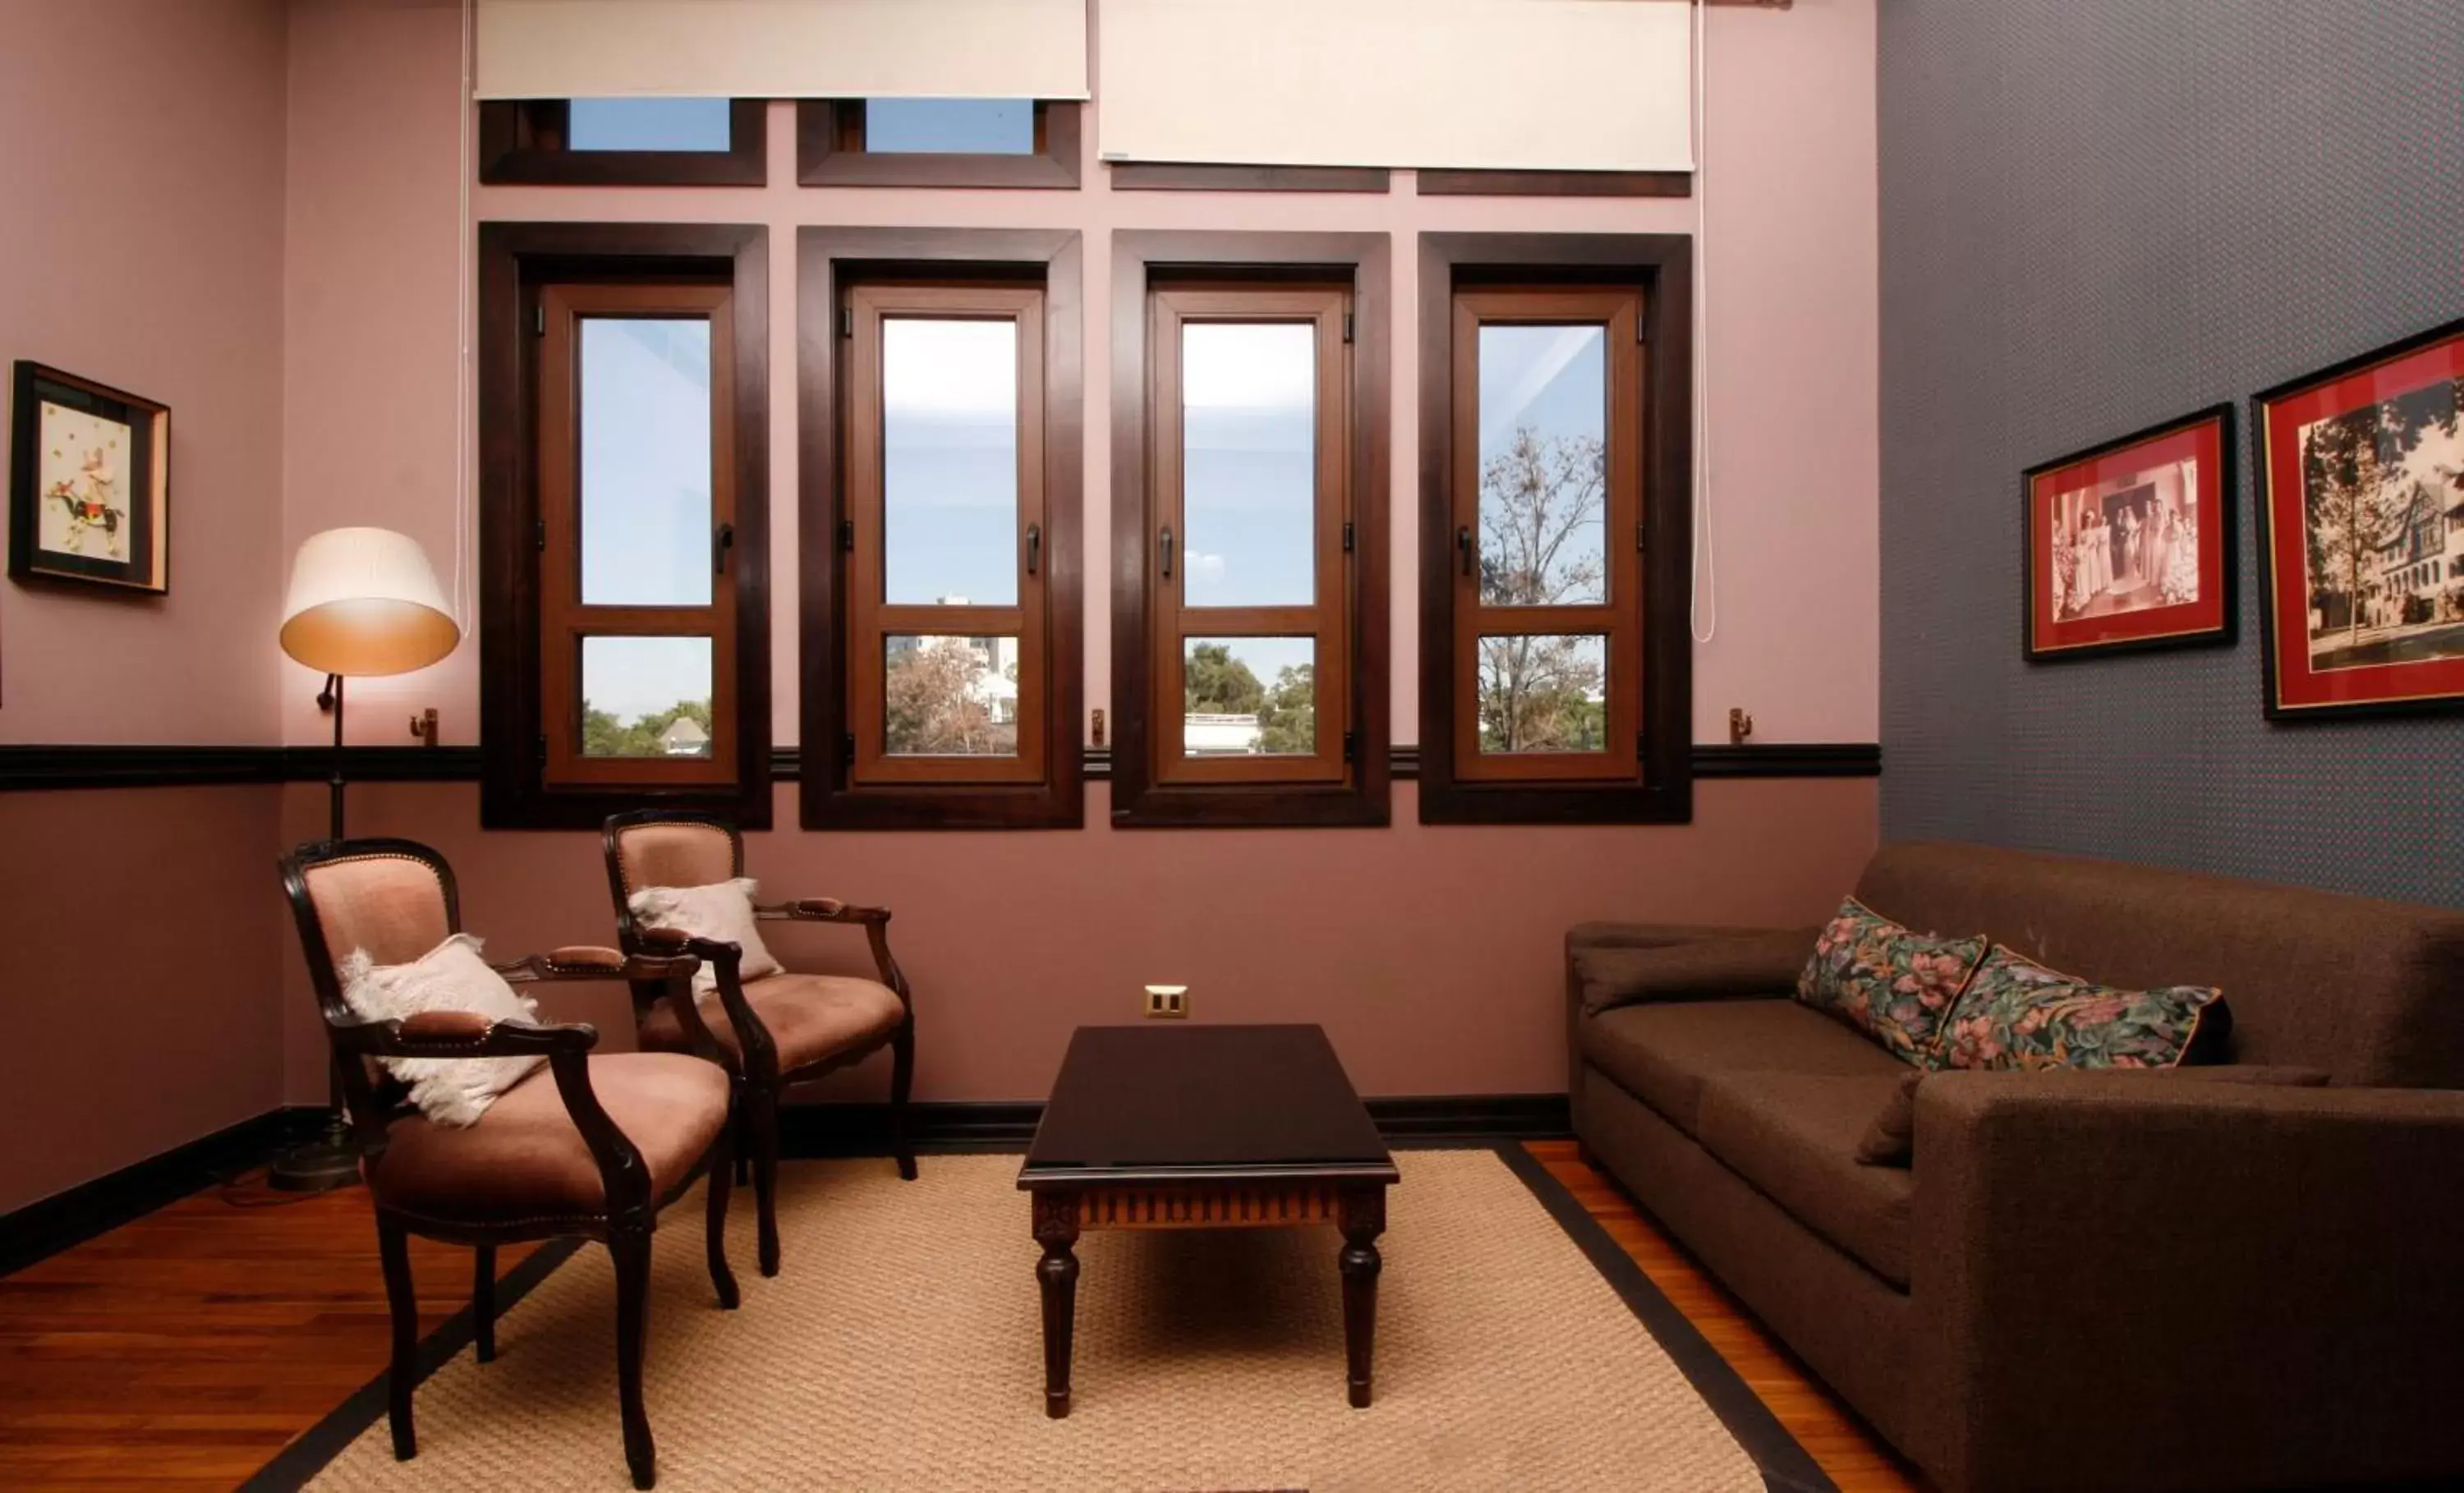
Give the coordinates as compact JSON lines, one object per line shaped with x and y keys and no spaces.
{"x":2101,"y":216}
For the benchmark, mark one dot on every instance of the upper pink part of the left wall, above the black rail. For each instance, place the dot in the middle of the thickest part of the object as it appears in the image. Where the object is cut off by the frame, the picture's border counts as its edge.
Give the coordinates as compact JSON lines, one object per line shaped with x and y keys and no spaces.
{"x":144,"y":248}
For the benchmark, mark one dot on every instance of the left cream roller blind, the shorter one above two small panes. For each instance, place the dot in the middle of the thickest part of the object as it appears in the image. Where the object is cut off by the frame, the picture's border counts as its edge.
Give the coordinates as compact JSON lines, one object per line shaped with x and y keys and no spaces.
{"x":782,"y":51}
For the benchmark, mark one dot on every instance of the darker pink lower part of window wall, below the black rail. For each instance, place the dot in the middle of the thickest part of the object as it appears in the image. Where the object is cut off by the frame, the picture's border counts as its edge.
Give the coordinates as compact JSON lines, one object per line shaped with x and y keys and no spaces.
{"x":1430,"y":955}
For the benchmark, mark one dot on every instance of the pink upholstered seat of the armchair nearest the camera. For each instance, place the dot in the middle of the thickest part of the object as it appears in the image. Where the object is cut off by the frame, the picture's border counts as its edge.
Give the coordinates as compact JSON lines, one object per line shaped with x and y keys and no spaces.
{"x":529,"y":1162}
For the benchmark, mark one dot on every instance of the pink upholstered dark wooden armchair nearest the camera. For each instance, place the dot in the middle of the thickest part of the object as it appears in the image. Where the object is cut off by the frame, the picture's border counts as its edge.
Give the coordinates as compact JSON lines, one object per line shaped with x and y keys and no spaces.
{"x":585,"y":1147}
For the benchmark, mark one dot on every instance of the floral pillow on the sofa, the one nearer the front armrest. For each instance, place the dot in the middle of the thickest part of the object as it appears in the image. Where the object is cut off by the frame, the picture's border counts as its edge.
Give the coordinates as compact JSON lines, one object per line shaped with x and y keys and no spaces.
{"x":2024,"y":1016}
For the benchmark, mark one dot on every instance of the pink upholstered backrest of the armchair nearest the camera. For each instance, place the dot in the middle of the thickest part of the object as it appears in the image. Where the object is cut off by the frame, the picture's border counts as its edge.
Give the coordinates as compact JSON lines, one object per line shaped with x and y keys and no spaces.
{"x":391,"y":898}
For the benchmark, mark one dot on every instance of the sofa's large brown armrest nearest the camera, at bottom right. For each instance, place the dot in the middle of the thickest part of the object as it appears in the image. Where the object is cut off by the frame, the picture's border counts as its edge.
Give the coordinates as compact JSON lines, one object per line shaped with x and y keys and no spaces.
{"x":2152,"y":1285}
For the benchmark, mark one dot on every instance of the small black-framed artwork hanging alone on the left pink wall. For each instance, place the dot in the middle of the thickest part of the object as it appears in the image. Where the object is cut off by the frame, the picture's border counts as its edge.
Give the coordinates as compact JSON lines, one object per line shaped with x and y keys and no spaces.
{"x":90,"y":484}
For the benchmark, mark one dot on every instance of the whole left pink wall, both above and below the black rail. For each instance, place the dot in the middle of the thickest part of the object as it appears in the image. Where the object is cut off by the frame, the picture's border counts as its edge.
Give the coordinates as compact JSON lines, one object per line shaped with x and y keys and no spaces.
{"x":142,"y":245}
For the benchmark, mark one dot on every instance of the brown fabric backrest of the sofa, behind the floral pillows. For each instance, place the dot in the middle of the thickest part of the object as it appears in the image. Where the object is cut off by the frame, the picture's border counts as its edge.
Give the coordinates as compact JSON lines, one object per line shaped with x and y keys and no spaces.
{"x":2372,"y":992}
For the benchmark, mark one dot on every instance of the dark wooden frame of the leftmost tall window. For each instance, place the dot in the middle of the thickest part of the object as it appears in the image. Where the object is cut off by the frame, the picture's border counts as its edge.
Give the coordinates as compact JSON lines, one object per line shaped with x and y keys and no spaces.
{"x":519,"y":763}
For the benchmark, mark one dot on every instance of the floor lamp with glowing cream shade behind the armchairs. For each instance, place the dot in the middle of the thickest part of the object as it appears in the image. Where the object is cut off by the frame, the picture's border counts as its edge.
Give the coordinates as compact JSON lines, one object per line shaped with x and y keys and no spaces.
{"x":363,"y":602}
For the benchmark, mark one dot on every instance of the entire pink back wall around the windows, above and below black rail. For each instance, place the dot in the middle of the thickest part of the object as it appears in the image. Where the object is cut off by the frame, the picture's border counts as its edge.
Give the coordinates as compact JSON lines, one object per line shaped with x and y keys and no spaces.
{"x":1428,"y":952}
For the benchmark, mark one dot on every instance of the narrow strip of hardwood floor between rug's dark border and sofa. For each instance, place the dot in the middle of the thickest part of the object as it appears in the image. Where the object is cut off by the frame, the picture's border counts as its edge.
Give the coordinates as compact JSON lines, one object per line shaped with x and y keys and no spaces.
{"x":1822,"y":1425}
